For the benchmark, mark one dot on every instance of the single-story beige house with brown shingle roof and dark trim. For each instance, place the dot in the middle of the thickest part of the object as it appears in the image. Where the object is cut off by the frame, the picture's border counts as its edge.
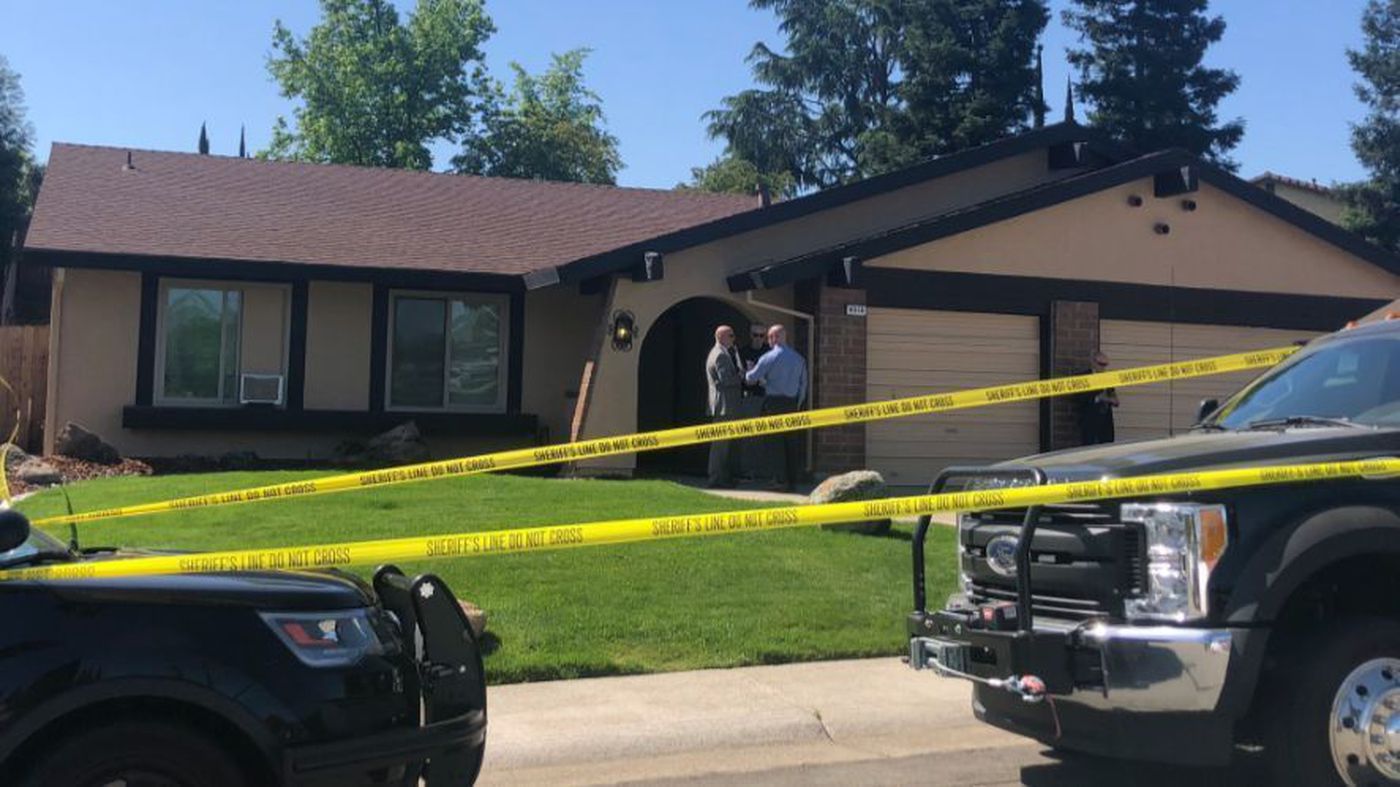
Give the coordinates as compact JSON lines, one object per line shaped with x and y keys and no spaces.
{"x":208,"y":305}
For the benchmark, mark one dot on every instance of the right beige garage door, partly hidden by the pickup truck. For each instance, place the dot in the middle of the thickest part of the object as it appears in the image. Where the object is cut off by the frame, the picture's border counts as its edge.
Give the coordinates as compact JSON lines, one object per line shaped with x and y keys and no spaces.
{"x":1163,"y":410}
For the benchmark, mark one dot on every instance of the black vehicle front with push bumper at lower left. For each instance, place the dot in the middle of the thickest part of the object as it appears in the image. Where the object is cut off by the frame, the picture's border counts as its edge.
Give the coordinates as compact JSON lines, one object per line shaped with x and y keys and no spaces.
{"x":233,"y":680}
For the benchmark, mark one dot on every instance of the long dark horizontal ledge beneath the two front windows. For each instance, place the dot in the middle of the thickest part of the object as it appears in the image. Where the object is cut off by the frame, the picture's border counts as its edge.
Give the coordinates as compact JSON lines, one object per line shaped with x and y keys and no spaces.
{"x":276,"y":419}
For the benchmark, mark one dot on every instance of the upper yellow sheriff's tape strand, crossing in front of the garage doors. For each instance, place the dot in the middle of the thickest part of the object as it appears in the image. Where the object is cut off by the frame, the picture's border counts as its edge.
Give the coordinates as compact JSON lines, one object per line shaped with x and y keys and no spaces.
{"x":703,"y":433}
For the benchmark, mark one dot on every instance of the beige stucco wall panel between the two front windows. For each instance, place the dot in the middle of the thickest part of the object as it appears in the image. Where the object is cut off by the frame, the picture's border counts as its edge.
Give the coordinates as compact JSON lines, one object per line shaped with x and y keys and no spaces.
{"x":338,"y":347}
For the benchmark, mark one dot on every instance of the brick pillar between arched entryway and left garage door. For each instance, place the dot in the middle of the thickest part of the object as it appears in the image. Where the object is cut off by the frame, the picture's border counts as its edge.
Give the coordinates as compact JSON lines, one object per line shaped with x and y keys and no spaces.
{"x":839,"y":376}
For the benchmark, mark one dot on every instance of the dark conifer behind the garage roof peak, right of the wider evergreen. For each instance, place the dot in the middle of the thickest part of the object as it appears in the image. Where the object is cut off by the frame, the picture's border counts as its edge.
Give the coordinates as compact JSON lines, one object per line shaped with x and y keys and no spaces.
{"x":1142,"y":75}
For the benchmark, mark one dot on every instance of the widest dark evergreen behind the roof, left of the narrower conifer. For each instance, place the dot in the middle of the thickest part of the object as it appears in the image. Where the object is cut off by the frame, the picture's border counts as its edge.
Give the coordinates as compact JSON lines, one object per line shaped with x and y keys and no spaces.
{"x":867,"y":86}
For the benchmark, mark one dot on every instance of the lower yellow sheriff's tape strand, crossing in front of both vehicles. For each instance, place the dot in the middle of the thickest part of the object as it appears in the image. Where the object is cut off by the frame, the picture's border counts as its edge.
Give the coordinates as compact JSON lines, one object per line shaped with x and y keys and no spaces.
{"x":654,"y":529}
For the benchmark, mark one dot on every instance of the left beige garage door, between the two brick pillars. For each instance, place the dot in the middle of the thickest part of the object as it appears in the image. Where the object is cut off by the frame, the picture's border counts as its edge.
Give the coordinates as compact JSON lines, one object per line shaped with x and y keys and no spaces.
{"x":915,"y":352}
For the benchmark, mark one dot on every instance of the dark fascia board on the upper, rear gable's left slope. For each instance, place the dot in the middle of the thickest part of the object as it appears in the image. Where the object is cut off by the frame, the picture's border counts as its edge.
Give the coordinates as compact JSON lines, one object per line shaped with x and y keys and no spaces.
{"x":626,"y":257}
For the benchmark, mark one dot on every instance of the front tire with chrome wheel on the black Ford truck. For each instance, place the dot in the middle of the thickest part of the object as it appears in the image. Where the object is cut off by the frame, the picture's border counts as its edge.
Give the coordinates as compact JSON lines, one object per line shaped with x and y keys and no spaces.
{"x":1328,"y":706}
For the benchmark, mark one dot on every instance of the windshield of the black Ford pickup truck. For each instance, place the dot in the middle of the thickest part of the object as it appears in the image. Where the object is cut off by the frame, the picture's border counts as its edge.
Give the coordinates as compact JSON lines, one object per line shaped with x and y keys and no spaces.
{"x":1356,"y":382}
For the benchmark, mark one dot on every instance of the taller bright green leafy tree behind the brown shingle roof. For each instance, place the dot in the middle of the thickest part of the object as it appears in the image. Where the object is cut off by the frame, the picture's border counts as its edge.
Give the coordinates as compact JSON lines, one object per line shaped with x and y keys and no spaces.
{"x":374,"y":90}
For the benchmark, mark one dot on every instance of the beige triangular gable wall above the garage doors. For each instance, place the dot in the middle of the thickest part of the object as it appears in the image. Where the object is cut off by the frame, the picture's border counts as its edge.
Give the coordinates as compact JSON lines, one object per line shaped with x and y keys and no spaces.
{"x":1224,"y":244}
